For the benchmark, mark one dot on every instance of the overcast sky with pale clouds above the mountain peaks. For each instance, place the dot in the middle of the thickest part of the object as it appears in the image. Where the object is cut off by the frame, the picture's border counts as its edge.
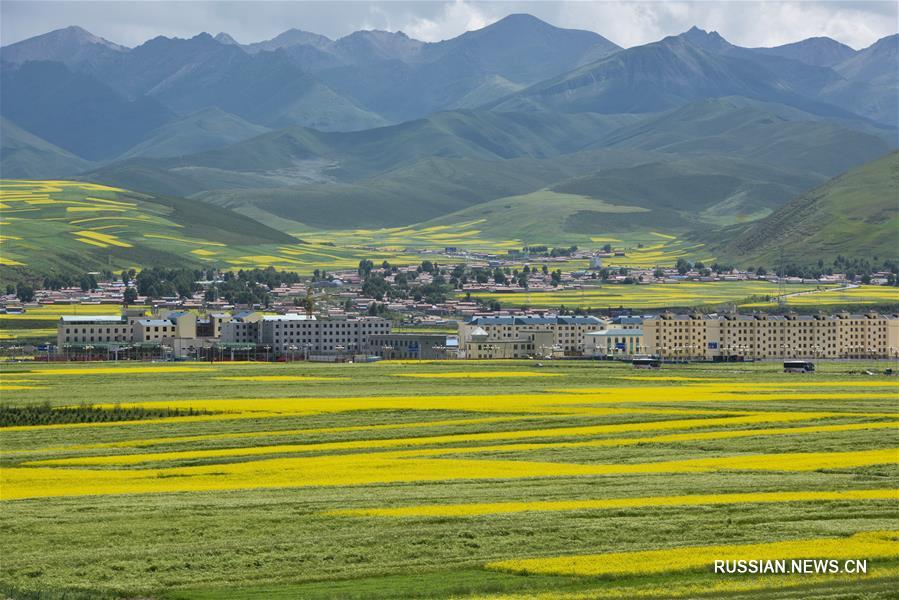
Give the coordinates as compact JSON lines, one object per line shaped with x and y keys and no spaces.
{"x":746,"y":23}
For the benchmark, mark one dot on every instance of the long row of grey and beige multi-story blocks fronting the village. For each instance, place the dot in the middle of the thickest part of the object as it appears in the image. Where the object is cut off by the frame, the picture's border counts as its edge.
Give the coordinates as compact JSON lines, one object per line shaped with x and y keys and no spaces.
{"x":668,"y":335}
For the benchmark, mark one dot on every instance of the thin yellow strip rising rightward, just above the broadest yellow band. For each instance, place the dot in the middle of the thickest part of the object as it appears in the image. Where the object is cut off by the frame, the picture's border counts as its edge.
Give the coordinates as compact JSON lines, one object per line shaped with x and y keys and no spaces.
{"x":130,"y":459}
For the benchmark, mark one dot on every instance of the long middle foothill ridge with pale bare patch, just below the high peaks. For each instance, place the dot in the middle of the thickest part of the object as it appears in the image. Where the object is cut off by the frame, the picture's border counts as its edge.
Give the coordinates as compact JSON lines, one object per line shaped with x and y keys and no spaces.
{"x":300,"y":156}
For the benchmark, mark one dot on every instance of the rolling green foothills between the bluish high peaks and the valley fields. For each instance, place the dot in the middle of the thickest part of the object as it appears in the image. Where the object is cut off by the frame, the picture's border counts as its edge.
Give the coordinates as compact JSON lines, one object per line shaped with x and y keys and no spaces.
{"x":718,"y":161}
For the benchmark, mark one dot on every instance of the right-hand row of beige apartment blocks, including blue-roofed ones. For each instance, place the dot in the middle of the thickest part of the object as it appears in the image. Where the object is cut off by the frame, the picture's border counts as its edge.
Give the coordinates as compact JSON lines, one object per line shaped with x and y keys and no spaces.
{"x":685,"y":336}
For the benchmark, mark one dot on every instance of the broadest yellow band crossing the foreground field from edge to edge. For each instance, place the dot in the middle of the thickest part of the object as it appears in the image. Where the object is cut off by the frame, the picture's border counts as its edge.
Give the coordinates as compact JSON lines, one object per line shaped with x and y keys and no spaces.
{"x":359,"y":469}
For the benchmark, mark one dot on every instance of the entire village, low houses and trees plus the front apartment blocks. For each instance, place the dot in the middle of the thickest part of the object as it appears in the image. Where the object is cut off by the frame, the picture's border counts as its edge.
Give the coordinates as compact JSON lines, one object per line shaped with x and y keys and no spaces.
{"x":372,"y":313}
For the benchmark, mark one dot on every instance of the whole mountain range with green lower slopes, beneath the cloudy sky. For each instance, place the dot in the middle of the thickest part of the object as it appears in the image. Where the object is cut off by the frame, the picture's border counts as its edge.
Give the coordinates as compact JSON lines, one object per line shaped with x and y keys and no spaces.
{"x":379,"y":129}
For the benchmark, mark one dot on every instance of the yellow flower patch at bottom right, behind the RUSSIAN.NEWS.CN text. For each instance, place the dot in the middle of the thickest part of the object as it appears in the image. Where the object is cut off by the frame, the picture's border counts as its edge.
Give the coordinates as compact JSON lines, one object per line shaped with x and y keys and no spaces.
{"x":870,"y":545}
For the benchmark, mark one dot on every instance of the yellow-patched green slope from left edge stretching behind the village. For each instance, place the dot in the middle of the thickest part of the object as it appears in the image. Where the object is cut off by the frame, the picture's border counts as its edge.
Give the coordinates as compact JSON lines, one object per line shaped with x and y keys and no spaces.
{"x":48,"y":226}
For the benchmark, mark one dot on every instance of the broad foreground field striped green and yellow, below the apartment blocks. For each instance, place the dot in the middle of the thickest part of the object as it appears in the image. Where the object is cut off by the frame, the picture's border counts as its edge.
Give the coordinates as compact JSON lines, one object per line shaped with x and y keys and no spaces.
{"x":448,"y":480}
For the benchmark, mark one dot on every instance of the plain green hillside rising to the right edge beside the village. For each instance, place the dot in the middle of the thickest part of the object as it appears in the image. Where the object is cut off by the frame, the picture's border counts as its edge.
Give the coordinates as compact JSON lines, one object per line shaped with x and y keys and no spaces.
{"x":855,"y":214}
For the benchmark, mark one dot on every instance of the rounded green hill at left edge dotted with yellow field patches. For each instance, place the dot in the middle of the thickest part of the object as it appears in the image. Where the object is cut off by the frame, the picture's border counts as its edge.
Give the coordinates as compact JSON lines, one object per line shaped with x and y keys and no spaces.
{"x":68,"y":226}
